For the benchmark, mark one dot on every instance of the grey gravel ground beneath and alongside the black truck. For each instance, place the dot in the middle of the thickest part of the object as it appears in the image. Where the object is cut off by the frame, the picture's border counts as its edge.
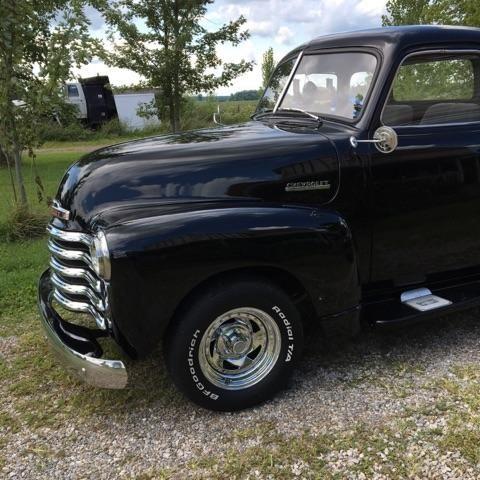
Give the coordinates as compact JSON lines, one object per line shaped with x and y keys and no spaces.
{"x":372,"y":379}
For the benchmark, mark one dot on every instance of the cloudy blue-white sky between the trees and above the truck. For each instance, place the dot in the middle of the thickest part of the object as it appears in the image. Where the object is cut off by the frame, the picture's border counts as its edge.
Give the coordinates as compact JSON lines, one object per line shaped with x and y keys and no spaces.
{"x":280,"y":24}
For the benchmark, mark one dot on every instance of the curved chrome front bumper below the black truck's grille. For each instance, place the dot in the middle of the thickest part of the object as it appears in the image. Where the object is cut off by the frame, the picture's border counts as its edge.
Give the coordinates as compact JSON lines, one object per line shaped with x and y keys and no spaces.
{"x":77,"y":347}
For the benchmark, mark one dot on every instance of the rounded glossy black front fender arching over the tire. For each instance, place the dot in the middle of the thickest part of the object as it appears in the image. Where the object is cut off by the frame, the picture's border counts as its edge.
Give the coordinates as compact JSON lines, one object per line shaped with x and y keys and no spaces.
{"x":157,"y":261}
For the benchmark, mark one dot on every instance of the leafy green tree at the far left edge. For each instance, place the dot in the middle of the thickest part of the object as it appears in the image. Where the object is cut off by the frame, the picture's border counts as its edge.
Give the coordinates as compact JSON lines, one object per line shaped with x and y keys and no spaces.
{"x":39,"y":43}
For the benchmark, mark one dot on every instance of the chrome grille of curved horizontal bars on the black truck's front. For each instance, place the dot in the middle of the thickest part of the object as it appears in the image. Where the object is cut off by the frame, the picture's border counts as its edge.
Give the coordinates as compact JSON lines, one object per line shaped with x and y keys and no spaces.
{"x":76,"y":286}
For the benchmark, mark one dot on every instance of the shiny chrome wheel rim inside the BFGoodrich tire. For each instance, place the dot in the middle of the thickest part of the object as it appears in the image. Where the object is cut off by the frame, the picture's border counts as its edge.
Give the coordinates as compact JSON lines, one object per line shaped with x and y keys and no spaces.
{"x":239,"y":348}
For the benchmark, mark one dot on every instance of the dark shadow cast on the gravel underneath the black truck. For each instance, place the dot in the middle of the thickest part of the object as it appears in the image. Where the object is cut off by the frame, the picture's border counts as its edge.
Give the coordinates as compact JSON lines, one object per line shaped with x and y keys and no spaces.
{"x":335,"y":362}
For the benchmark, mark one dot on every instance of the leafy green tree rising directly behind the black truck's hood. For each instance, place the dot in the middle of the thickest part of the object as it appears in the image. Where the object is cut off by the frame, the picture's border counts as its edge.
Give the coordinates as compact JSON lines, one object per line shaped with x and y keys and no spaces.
{"x":171,"y":49}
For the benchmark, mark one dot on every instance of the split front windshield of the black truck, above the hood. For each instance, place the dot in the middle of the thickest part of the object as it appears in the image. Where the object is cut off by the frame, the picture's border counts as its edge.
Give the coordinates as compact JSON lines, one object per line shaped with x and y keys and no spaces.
{"x":330,"y":84}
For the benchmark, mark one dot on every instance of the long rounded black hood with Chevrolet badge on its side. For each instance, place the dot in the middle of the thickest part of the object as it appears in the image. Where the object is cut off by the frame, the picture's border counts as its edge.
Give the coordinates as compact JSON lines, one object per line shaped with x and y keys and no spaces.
{"x":254,"y":161}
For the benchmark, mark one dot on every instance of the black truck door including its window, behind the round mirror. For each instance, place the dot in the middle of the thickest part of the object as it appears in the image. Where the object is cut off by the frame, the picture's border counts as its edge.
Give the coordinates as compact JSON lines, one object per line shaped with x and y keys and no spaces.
{"x":426,"y":194}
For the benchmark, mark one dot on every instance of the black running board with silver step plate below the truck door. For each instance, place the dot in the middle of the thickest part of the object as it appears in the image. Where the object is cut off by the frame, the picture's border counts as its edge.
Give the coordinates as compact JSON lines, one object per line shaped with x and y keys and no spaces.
{"x":421,"y":304}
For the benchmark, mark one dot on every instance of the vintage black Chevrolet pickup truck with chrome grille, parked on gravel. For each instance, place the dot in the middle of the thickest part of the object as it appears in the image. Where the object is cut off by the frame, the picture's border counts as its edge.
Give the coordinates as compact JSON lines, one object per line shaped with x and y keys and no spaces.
{"x":351,"y":198}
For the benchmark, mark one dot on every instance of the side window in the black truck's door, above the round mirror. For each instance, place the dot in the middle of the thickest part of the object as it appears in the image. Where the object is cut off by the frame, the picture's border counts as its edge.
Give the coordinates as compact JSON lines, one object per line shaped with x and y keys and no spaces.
{"x":434,"y":90}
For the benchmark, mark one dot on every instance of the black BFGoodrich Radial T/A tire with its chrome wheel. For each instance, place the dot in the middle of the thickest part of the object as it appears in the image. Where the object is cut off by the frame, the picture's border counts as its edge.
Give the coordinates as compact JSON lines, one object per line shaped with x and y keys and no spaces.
{"x":251,"y":323}
